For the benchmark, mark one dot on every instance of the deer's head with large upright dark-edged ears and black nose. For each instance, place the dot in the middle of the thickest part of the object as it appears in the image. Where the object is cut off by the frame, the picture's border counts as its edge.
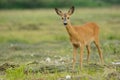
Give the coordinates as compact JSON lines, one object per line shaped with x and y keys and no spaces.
{"x":65,"y":16}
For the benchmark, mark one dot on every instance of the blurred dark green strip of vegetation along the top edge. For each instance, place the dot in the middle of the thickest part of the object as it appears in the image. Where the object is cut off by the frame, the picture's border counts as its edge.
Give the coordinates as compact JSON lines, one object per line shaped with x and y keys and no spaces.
{"x":22,"y":4}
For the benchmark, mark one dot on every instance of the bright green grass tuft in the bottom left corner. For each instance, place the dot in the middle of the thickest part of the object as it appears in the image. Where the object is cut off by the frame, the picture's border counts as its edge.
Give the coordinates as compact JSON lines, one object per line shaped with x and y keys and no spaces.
{"x":16,"y":73}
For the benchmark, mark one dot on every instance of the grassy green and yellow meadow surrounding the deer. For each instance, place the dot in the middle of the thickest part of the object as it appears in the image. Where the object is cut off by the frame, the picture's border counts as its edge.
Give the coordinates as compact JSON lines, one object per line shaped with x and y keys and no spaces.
{"x":34,"y":45}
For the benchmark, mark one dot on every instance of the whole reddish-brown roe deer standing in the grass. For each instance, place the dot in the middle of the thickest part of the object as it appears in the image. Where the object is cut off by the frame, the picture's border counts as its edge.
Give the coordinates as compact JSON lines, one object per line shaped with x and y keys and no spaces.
{"x":81,"y":36}
